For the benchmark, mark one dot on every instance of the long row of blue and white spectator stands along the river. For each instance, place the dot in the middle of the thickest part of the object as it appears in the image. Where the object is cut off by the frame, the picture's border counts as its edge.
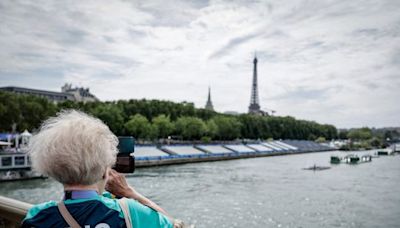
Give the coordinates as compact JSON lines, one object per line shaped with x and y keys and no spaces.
{"x":150,"y":155}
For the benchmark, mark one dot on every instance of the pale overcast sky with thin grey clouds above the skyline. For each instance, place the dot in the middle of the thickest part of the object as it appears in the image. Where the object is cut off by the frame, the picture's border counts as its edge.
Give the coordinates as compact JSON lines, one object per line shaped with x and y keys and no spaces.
{"x":335,"y":62}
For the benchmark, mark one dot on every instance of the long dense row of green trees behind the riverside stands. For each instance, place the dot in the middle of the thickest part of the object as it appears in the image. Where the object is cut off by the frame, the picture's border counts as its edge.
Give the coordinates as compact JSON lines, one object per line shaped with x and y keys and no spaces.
{"x":157,"y":119}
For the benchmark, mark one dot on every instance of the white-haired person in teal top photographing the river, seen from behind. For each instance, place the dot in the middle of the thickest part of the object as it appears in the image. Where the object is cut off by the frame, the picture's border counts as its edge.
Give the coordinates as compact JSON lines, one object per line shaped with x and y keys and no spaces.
{"x":78,"y":151}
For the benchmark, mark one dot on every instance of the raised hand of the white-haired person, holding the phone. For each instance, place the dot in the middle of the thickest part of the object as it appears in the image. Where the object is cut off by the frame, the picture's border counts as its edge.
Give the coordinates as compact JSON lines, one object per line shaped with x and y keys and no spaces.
{"x":117,"y":185}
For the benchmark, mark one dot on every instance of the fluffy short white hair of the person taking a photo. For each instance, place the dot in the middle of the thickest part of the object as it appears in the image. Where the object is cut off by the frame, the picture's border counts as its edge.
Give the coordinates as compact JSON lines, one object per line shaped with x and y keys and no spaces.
{"x":73,"y":148}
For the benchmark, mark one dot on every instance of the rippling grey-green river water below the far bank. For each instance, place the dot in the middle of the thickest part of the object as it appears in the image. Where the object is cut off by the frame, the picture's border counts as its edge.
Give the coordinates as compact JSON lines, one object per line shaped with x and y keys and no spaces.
{"x":262,"y":192}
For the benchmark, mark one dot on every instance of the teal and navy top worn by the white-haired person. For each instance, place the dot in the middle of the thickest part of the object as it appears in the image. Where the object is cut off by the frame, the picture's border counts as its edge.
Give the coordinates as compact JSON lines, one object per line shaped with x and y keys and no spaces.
{"x":97,"y":211}
